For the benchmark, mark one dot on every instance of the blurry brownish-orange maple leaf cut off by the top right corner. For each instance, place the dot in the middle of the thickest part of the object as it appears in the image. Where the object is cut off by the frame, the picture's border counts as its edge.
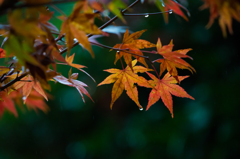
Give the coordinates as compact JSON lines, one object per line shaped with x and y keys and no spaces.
{"x":225,"y":10}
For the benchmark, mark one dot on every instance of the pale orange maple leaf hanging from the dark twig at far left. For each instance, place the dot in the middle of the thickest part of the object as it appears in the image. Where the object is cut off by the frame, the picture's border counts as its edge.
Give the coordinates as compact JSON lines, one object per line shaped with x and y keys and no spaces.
{"x":27,"y":84}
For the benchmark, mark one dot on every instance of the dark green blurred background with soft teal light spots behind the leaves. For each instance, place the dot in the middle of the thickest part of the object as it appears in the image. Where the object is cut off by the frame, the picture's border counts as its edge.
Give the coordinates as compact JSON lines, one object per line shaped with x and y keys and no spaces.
{"x":207,"y":127}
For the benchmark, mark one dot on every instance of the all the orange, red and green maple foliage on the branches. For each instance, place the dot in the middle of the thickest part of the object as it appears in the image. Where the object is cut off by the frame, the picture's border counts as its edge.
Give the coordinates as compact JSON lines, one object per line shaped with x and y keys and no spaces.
{"x":33,"y":48}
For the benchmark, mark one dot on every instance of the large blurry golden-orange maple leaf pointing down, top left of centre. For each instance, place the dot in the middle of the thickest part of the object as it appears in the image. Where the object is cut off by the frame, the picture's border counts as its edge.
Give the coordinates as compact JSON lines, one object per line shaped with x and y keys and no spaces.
{"x":77,"y":25}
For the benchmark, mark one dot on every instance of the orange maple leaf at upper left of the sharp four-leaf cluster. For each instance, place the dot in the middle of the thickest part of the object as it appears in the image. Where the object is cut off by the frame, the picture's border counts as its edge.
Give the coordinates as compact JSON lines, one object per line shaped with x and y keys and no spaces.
{"x":132,"y":45}
